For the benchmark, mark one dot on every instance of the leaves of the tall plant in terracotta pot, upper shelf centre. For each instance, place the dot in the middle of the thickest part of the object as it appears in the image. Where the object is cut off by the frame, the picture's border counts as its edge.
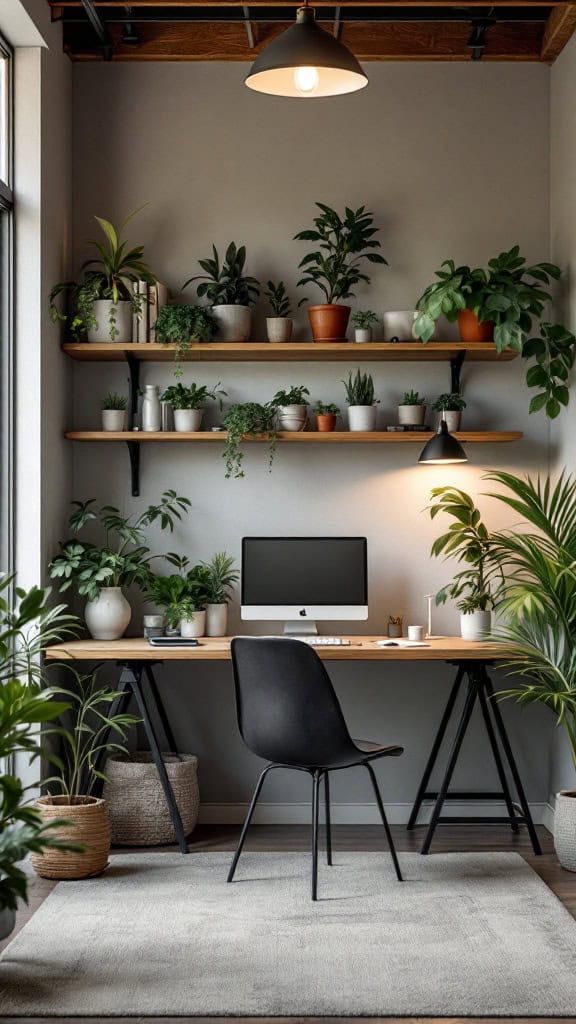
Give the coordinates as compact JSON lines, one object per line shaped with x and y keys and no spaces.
{"x":344,"y":245}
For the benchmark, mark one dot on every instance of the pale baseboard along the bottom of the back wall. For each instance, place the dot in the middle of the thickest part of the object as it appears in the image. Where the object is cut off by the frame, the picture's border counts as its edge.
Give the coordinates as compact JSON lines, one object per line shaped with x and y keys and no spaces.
{"x":354,"y":815}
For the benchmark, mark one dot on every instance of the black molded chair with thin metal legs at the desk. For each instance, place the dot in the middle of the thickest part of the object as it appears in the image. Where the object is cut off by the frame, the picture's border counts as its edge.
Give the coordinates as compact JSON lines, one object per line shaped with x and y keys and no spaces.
{"x":290,"y":715}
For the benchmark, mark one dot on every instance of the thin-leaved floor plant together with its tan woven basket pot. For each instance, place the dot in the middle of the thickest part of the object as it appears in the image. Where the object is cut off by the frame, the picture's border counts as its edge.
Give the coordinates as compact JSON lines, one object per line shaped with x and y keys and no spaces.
{"x":92,"y":729}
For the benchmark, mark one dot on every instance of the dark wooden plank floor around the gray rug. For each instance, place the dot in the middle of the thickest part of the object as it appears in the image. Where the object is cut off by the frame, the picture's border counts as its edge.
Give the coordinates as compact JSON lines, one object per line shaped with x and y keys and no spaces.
{"x":297,"y":838}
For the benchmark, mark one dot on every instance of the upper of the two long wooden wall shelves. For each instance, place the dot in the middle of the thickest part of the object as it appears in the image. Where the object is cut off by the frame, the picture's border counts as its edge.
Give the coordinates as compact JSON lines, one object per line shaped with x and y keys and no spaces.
{"x":404,"y":352}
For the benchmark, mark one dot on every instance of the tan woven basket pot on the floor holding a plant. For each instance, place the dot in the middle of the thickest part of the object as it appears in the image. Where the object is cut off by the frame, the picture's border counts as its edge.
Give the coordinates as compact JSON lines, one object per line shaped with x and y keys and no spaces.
{"x":89,"y":826}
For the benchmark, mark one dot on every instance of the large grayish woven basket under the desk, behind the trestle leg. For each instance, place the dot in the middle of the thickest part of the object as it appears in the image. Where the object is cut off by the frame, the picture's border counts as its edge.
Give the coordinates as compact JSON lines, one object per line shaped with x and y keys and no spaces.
{"x":137,"y":803}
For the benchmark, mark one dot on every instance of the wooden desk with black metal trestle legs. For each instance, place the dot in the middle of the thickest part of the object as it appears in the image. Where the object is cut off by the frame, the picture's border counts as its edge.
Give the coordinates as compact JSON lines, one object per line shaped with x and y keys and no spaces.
{"x":136,"y":660}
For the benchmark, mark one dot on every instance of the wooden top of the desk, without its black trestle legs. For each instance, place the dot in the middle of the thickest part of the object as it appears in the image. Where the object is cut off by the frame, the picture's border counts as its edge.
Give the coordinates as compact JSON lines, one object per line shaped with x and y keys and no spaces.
{"x":362,"y":649}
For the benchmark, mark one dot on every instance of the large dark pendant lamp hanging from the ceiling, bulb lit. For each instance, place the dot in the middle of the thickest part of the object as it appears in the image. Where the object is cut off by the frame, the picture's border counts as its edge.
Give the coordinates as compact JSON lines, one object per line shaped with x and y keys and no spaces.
{"x":306,"y":62}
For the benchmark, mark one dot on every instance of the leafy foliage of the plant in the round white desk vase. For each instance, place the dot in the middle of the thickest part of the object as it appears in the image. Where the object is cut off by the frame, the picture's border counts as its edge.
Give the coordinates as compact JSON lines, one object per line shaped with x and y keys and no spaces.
{"x":125,"y":559}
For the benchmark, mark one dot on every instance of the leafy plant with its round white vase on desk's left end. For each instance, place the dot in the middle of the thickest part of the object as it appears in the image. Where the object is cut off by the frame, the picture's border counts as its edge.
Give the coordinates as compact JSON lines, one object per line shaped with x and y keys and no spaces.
{"x":101,"y":573}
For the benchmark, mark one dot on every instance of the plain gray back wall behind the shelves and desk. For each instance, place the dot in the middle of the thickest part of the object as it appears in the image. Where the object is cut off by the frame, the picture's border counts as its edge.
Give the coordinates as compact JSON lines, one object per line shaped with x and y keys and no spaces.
{"x":454,"y":160}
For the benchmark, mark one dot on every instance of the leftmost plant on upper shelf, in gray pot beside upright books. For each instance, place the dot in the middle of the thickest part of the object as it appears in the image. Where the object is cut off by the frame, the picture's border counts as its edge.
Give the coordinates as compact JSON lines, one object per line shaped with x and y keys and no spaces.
{"x":104,"y":303}
